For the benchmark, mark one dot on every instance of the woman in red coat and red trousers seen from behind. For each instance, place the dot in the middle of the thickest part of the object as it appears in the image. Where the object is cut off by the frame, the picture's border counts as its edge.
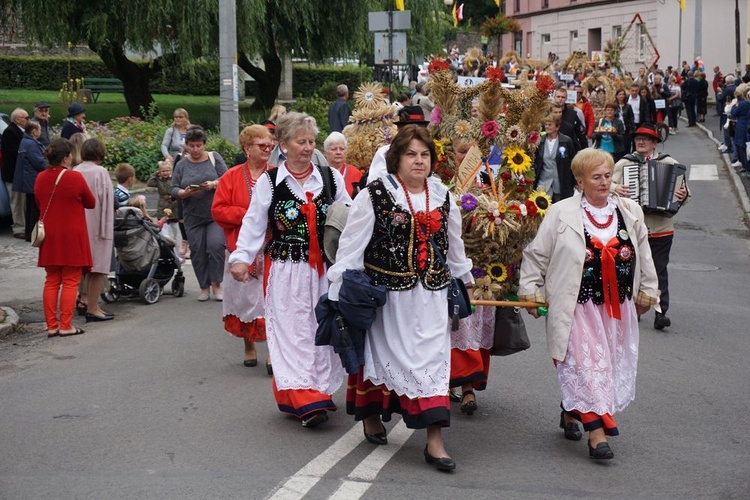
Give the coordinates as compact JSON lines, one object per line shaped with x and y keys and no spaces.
{"x":65,"y":255}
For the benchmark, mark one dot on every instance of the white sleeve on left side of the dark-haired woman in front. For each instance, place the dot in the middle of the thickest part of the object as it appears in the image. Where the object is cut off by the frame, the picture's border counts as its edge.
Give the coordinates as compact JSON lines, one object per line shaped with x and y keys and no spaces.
{"x":353,"y":242}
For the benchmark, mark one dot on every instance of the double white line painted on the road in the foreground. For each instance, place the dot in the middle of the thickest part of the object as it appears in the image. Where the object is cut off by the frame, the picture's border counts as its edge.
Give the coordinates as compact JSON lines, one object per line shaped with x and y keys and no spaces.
{"x":359,"y":480}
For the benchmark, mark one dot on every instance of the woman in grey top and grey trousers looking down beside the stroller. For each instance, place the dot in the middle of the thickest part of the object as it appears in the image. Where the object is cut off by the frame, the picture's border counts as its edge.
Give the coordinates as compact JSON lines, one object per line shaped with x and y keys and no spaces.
{"x":194,"y":181}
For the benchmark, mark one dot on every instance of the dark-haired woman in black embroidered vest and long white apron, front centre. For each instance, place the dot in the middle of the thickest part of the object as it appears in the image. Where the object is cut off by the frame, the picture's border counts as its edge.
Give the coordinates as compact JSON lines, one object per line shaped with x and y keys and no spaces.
{"x":394,"y":231}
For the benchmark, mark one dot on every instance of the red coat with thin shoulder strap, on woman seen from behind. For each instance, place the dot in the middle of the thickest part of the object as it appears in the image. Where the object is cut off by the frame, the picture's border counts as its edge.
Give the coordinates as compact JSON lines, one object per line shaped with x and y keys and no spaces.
{"x":66,"y":241}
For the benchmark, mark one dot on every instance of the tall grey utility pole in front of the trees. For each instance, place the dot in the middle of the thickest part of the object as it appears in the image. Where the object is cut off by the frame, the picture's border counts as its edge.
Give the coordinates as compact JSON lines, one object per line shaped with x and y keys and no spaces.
{"x":228,"y":96}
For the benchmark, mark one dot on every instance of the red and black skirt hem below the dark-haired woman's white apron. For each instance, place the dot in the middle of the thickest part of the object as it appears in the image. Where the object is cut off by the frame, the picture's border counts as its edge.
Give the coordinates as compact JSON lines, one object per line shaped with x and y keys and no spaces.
{"x":364,"y":399}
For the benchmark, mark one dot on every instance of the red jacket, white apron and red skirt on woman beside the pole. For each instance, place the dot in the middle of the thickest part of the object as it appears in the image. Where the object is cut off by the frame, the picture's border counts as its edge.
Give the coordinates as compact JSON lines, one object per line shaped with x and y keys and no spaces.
{"x":243,"y":307}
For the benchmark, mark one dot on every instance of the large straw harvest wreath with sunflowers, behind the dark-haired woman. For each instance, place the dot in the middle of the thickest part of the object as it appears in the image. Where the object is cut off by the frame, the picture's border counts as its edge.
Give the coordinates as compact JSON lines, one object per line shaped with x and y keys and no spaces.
{"x":501,"y":215}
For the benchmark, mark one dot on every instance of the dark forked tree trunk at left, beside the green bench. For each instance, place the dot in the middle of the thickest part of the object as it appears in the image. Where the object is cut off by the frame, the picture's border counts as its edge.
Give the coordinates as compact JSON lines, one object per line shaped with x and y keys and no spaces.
{"x":136,"y":79}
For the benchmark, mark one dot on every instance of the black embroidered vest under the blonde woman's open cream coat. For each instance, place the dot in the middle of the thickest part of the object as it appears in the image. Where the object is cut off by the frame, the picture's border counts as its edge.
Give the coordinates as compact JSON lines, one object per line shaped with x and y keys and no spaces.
{"x":591,"y":283}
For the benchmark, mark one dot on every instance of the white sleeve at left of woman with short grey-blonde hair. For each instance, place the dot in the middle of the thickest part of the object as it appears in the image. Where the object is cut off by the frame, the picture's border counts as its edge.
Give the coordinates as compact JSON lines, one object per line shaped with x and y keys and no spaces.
{"x":254,"y":224}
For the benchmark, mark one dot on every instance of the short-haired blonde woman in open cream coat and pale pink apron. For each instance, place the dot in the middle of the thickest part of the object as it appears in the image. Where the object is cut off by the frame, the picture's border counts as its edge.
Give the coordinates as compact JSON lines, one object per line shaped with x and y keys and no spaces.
{"x":592,"y":262}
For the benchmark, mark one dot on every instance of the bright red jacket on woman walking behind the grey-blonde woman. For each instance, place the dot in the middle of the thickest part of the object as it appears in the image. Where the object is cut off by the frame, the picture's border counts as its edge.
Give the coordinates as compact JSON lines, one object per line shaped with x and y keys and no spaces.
{"x":231,"y":201}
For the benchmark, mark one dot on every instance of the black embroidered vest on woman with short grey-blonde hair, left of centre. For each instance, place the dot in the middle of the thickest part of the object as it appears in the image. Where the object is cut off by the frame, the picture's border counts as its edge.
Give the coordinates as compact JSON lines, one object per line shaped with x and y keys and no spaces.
{"x":290,"y":237}
